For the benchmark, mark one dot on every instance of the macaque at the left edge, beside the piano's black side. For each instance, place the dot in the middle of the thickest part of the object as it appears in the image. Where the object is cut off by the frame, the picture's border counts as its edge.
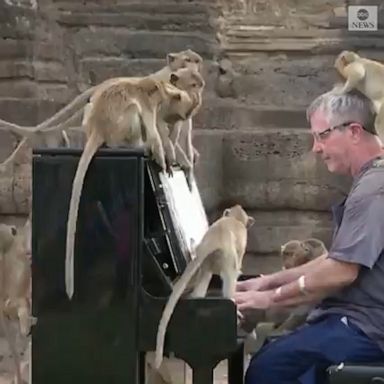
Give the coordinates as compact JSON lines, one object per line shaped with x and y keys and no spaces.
{"x":15,"y":280}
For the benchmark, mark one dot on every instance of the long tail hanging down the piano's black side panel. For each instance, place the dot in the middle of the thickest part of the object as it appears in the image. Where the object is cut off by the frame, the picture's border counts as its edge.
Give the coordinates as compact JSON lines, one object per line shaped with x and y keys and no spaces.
{"x":93,"y":143}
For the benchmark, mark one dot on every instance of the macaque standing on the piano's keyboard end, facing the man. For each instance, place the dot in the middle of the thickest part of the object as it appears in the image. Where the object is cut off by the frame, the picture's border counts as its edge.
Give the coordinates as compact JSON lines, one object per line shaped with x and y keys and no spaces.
{"x":220,"y":252}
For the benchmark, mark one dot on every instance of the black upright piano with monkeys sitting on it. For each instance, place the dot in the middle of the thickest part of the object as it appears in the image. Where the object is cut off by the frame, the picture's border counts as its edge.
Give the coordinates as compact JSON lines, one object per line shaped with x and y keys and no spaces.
{"x":129,"y":248}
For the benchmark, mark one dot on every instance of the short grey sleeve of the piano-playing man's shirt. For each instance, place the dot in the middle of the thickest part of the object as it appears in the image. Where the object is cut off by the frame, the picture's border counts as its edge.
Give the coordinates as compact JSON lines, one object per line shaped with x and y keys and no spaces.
{"x":360,"y":238}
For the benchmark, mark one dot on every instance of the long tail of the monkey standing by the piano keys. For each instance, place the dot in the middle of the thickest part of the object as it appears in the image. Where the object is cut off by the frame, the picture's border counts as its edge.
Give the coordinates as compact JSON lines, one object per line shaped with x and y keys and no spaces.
{"x":178,"y":289}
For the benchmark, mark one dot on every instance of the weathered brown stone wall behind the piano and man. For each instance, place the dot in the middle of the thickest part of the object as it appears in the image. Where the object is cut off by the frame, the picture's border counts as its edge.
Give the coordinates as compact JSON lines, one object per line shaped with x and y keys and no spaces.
{"x":265,"y":60}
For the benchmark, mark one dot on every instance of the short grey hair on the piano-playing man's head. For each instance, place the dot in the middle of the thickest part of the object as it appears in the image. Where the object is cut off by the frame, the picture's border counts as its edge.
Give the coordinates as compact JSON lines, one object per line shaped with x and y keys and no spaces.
{"x":351,"y":106}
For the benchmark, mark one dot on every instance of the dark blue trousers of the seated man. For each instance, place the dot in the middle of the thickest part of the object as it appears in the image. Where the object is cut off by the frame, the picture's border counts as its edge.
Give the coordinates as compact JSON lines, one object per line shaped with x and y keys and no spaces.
{"x":304,"y":355}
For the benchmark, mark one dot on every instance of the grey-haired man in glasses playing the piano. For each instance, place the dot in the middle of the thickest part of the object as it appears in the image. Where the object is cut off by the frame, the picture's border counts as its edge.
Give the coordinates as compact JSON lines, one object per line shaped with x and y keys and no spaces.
{"x":347,"y":283}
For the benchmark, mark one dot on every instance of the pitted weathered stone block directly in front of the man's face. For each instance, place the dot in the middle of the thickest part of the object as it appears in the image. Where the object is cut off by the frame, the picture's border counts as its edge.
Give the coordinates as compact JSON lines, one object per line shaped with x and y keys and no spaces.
{"x":274,"y":170}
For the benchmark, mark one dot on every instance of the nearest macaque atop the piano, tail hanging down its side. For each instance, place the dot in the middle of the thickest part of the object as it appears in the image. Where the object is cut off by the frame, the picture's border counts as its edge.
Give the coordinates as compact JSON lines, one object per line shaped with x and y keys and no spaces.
{"x":118,"y":114}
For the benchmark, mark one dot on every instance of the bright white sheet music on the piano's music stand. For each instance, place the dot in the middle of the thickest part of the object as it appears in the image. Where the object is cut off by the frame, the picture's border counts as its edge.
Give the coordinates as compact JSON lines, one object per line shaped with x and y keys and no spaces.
{"x":186,"y":208}
